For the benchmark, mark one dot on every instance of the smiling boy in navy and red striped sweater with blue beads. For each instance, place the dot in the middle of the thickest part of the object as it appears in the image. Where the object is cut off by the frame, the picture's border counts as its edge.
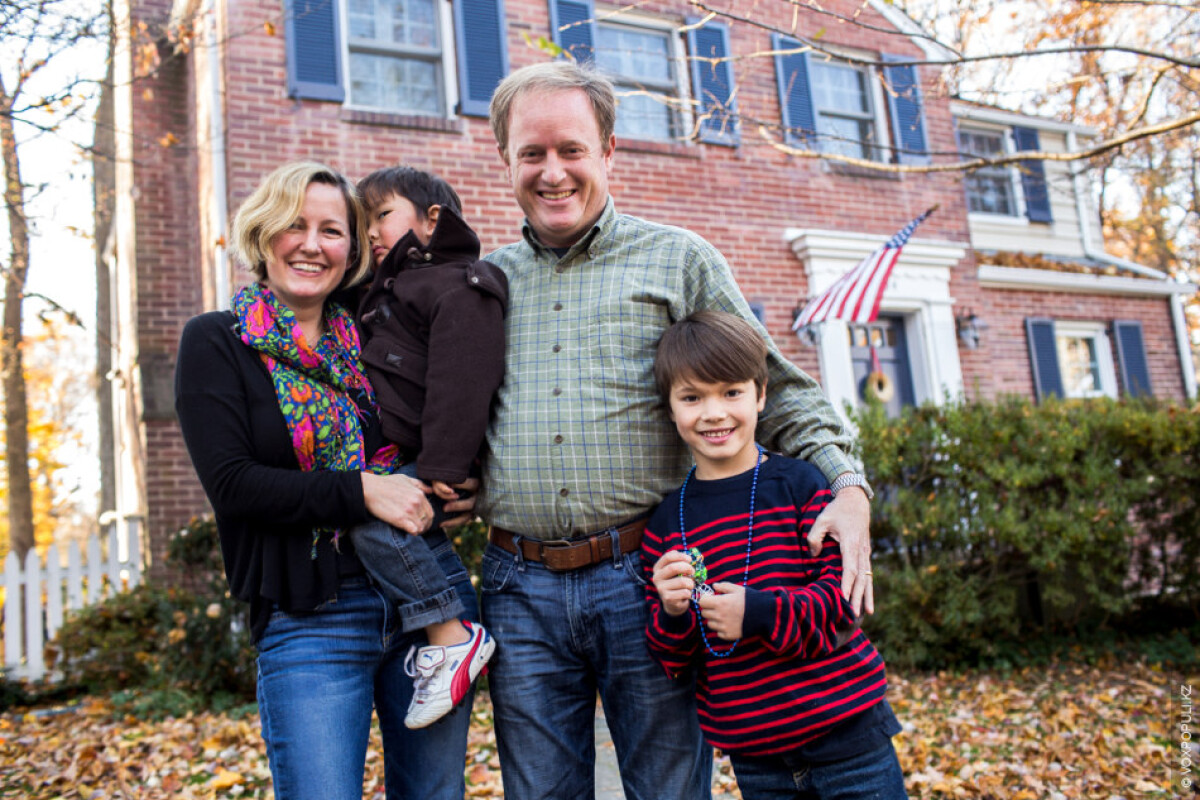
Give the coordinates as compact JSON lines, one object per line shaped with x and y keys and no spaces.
{"x":787,"y":683}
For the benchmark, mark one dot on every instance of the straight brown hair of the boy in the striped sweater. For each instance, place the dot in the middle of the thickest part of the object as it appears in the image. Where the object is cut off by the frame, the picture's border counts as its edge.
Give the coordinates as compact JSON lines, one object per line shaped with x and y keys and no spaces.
{"x":715,"y":347}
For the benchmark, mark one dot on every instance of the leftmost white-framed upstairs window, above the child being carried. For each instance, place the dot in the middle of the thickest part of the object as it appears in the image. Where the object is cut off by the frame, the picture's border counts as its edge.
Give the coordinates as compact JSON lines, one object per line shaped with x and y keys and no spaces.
{"x":400,"y":56}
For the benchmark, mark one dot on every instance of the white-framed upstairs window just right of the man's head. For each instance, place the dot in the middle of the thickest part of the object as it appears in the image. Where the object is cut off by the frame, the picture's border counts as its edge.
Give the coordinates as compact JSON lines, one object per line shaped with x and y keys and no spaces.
{"x":643,"y":58}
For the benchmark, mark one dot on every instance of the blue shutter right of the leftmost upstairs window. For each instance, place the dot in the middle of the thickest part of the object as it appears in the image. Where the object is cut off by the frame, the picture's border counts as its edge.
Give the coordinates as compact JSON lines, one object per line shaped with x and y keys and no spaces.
{"x":483,"y":53}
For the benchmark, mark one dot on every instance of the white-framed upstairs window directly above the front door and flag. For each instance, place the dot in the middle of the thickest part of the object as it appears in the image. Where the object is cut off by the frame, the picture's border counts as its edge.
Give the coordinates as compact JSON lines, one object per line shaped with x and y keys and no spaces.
{"x":845,"y":110}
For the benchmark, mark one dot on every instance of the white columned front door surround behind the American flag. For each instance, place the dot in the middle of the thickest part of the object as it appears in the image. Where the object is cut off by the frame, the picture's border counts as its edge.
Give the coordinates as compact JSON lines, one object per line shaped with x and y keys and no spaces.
{"x":920,"y":291}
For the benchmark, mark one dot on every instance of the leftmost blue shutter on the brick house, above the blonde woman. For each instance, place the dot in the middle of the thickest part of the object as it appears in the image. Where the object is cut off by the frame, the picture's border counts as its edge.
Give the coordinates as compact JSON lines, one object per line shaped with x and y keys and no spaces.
{"x":315,"y":50}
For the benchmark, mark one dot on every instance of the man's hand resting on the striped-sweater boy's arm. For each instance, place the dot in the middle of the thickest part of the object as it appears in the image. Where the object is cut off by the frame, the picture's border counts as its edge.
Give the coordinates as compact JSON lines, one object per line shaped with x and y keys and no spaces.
{"x":848,"y":519}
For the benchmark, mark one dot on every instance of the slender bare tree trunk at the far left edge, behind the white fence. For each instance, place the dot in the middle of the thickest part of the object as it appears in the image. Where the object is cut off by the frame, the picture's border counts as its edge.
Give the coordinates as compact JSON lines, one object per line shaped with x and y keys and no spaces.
{"x":13,"y":368}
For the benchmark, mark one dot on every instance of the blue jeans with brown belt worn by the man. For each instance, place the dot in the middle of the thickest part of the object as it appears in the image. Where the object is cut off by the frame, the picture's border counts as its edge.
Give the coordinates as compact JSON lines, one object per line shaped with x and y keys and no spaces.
{"x":561,"y":639}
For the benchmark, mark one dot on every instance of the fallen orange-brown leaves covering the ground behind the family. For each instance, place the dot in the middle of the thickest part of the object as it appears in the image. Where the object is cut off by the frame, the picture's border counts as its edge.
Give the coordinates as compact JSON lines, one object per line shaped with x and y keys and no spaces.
{"x":1063,"y":732}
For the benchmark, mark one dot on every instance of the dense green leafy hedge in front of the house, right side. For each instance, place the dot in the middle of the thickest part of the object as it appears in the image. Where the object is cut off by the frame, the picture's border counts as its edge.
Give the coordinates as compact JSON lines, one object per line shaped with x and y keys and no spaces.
{"x":998,"y":522}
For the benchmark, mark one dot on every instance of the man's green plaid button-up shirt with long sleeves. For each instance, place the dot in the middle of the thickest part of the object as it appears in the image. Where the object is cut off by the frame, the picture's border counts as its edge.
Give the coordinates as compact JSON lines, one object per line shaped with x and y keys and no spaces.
{"x":580,"y":440}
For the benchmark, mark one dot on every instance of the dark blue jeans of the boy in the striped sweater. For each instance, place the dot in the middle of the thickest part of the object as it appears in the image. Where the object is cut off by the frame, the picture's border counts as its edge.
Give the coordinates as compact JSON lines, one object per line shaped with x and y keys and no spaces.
{"x":869,"y":777}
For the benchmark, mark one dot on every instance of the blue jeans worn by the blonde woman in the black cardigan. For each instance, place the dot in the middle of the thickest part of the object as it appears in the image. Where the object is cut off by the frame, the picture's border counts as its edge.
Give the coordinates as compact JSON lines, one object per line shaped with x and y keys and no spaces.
{"x":320,"y":676}
